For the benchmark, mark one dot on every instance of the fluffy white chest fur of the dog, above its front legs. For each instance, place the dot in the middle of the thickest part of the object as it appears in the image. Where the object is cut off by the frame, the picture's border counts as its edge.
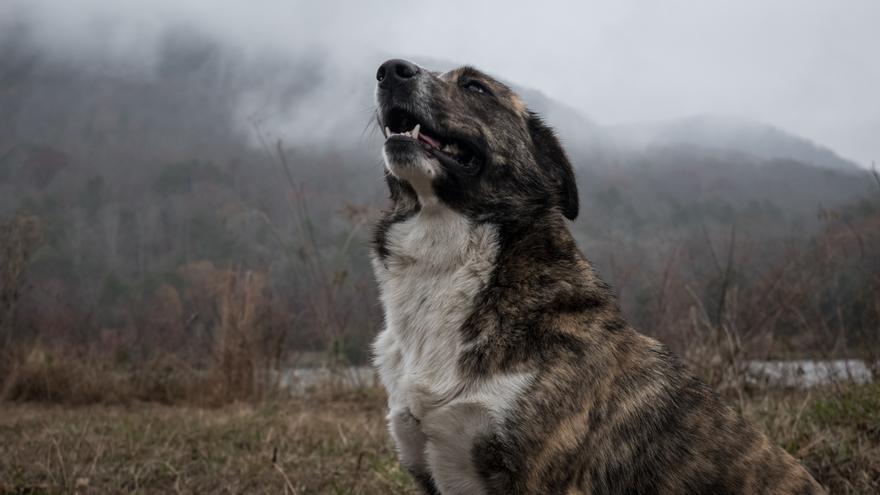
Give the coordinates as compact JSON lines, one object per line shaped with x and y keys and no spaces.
{"x":438,"y":264}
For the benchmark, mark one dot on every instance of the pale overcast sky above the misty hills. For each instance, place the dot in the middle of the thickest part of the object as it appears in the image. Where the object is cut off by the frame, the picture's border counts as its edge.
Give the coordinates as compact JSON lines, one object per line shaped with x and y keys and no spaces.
{"x":811,"y":67}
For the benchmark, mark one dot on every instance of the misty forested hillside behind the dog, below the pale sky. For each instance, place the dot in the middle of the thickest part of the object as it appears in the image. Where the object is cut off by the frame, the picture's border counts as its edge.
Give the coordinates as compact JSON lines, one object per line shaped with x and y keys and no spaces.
{"x":148,"y":210}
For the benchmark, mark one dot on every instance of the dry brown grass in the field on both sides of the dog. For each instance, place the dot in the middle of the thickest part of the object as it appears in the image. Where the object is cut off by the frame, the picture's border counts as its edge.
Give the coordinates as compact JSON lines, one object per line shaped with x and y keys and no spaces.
{"x":338,"y":444}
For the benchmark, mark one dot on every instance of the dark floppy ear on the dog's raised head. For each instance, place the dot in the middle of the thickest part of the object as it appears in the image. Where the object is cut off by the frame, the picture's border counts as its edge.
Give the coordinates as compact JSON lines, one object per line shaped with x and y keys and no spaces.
{"x":549,"y":154}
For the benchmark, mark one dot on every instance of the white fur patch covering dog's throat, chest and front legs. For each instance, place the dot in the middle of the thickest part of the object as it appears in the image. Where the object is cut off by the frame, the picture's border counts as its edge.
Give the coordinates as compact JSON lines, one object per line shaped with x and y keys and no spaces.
{"x":438,"y":263}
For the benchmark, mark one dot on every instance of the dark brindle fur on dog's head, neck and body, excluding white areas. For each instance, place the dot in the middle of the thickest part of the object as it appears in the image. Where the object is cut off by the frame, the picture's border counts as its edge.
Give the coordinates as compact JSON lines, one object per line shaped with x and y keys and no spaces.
{"x":608,"y":410}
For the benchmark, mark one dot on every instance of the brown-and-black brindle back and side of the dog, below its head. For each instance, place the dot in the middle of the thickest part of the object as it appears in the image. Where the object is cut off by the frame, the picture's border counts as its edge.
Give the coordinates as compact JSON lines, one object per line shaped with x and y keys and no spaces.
{"x":610,"y":410}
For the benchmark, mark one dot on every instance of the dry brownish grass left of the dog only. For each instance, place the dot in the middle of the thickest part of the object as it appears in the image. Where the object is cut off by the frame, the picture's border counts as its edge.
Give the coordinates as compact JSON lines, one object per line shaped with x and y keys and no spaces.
{"x":331,"y":445}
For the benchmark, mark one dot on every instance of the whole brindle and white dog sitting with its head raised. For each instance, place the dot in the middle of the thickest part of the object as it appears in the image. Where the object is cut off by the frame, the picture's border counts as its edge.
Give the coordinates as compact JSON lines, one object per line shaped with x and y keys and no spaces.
{"x":508,"y":366}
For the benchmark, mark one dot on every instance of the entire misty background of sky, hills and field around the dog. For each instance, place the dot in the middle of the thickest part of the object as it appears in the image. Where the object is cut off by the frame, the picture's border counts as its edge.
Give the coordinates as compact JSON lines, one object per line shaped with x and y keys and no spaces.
{"x":187,"y":189}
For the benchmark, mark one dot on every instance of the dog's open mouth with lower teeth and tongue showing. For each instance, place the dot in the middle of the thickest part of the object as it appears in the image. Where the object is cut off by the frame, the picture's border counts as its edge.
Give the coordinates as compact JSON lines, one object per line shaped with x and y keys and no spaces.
{"x":400,"y":124}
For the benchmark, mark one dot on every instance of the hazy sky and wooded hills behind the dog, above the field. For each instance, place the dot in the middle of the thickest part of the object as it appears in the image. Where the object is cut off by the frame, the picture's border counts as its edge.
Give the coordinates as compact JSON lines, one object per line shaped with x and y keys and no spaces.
{"x":185,"y":176}
